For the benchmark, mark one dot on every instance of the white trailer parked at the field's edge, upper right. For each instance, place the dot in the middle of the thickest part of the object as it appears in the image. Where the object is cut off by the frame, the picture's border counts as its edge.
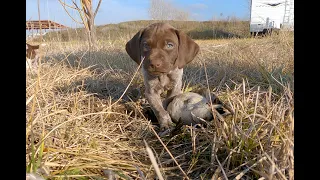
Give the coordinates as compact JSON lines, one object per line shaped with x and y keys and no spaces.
{"x":268,"y":15}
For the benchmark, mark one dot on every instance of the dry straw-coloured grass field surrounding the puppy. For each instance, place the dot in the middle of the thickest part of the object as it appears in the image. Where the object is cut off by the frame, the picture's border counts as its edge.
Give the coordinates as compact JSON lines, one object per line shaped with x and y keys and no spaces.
{"x":78,"y":129}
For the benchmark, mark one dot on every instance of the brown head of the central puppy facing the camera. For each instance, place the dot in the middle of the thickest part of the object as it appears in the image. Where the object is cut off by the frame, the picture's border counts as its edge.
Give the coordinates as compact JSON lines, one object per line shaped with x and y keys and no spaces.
{"x":163,"y":47}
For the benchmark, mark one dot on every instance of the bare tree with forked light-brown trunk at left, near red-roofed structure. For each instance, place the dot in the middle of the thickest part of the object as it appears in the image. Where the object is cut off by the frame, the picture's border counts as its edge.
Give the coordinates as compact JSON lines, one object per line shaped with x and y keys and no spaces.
{"x":87,"y":16}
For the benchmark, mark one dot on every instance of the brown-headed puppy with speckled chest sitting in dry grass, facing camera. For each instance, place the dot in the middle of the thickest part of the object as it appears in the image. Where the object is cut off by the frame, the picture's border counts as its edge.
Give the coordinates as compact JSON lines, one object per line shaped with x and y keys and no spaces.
{"x":165,"y":51}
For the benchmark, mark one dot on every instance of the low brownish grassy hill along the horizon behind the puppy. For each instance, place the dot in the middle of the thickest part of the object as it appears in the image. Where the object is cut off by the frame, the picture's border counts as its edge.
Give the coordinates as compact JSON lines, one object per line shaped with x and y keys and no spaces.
{"x":125,"y":30}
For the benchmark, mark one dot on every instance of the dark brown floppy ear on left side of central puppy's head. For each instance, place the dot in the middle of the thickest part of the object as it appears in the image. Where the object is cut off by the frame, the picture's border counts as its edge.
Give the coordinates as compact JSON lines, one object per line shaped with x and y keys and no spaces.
{"x":133,"y":47}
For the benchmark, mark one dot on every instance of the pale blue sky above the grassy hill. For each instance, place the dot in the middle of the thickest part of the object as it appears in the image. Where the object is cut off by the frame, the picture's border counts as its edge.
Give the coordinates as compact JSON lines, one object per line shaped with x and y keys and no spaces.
{"x":115,"y":11}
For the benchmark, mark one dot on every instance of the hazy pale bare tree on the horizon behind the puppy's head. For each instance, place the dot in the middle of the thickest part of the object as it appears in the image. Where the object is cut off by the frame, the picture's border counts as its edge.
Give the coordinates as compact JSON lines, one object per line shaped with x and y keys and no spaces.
{"x":165,"y":10}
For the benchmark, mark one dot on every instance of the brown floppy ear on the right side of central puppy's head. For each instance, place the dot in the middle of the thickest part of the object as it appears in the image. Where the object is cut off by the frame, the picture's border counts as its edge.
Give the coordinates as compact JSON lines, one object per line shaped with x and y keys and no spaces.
{"x":188,"y":49}
